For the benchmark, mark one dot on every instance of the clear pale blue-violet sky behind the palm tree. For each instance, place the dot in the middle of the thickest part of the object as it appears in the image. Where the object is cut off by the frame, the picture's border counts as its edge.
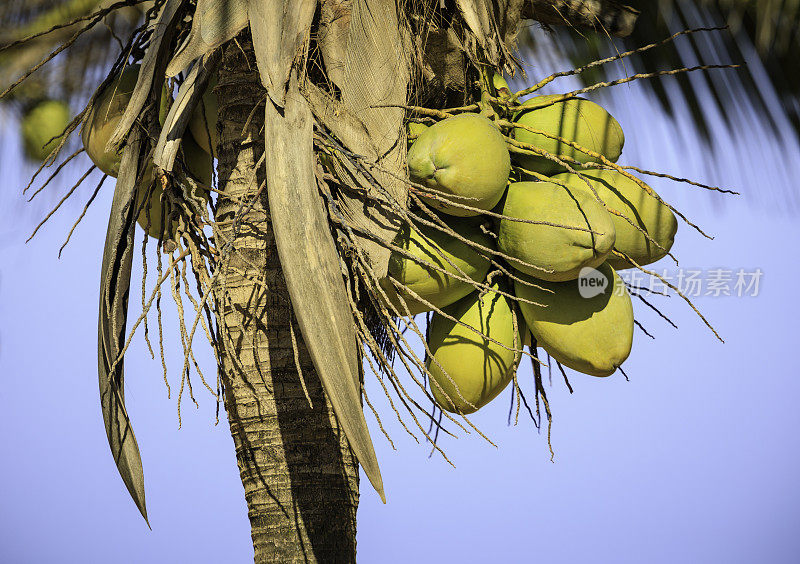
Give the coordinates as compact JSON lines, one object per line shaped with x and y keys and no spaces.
{"x":694,"y":460}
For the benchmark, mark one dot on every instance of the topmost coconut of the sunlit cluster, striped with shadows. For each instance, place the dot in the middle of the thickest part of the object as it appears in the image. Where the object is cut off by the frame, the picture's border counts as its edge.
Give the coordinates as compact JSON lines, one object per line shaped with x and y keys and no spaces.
{"x":577,"y":120}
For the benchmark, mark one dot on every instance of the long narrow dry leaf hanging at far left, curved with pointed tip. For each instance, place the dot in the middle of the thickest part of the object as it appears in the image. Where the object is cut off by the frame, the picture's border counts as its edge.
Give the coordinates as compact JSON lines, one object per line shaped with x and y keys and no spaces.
{"x":114,"y":287}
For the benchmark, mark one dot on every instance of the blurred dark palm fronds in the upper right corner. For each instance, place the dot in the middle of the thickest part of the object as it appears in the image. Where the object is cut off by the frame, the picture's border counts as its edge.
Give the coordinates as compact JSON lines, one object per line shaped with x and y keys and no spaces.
{"x":763,"y":34}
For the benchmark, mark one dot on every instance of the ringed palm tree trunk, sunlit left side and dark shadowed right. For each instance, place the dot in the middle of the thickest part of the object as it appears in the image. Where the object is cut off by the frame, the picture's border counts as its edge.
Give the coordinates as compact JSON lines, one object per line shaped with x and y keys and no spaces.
{"x":299,"y":475}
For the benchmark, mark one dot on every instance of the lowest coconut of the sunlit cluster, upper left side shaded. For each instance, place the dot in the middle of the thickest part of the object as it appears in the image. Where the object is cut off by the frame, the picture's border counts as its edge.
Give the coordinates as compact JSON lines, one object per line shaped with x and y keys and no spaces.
{"x":480,"y":368}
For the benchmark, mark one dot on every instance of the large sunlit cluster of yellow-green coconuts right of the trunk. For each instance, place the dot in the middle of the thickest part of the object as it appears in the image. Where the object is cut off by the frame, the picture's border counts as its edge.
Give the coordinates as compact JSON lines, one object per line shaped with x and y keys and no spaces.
{"x":546,"y":227}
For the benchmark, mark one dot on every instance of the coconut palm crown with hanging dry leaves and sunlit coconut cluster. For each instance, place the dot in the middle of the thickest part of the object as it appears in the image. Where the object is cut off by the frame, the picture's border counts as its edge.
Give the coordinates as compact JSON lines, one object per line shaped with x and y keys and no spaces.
{"x":492,"y":217}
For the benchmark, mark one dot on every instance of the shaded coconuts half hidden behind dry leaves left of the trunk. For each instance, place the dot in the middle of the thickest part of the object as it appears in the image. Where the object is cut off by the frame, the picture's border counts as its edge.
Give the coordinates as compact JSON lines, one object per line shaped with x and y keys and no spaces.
{"x":197,"y":147}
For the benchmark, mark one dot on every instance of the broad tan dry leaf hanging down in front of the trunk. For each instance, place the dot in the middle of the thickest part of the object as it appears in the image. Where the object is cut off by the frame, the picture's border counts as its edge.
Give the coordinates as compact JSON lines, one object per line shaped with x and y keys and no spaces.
{"x":311,"y":266}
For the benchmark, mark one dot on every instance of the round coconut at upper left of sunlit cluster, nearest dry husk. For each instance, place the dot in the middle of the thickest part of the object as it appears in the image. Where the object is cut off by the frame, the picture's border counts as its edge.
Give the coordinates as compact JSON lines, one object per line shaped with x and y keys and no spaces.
{"x":464,"y":157}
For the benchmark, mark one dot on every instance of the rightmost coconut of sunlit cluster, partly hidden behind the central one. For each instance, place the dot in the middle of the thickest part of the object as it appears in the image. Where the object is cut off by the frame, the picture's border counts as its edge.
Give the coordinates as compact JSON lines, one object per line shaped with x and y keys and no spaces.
{"x":624,"y":195}
